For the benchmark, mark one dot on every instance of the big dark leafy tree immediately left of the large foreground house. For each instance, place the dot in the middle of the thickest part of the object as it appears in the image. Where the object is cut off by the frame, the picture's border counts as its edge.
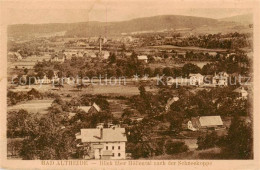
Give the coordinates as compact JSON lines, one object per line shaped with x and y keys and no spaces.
{"x":47,"y":140}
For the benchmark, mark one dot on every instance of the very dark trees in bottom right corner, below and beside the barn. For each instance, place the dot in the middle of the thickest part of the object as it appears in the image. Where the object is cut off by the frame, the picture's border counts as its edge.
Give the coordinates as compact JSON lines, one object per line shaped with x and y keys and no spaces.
{"x":237,"y":144}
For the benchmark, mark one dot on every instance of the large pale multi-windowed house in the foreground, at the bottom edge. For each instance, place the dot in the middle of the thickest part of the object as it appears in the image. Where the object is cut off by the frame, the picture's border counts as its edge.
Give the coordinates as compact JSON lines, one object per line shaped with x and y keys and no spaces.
{"x":103,"y":143}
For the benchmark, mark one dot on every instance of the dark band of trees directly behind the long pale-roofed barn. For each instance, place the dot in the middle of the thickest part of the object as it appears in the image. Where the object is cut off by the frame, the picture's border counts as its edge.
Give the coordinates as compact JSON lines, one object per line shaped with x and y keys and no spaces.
{"x":222,"y":102}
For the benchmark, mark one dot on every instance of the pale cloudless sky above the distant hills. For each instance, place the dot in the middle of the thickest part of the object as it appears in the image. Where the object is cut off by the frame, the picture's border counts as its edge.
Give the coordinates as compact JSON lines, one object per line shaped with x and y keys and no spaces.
{"x":37,"y":12}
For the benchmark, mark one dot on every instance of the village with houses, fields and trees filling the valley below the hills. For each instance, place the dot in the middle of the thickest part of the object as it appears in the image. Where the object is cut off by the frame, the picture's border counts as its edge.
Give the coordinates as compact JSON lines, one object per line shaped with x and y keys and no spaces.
{"x":178,"y":96}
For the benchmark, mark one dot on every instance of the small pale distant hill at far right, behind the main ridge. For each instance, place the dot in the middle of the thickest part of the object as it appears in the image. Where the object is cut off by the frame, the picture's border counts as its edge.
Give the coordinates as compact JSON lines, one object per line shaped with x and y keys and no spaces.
{"x":243,"y":19}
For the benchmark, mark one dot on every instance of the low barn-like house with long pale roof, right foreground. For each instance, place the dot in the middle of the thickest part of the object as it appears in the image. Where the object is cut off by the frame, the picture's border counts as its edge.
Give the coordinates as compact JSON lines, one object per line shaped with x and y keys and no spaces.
{"x":205,"y":122}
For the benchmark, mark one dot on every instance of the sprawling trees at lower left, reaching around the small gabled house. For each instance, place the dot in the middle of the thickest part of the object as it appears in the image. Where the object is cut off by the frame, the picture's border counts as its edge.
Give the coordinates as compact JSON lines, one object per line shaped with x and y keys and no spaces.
{"x":52,"y":135}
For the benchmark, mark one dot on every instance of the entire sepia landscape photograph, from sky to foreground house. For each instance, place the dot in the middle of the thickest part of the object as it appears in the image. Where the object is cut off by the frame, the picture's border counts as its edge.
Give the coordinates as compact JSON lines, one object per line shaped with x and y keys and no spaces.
{"x":129,"y":81}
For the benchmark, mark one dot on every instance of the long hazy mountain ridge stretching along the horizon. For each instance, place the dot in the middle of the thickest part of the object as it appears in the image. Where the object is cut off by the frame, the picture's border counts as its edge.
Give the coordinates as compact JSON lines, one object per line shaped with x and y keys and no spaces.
{"x":93,"y":28}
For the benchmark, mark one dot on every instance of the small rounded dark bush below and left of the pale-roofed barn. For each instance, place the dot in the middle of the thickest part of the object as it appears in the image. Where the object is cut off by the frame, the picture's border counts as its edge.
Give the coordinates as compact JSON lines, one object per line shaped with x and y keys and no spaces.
{"x":175,"y":147}
